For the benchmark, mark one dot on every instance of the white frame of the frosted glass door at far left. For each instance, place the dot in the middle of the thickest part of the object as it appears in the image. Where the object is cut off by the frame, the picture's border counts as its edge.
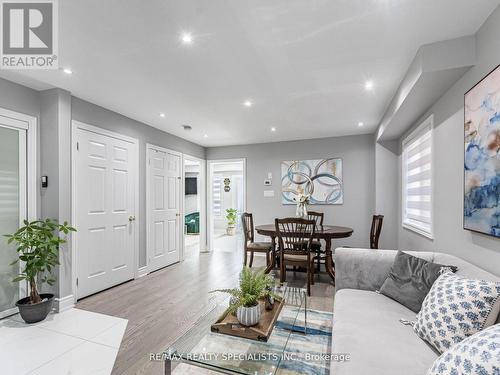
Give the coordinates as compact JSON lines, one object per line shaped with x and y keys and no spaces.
{"x":21,"y":121}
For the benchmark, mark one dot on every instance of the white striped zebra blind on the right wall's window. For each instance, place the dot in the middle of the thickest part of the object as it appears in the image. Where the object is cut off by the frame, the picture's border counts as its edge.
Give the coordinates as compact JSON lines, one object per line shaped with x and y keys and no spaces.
{"x":417,"y":179}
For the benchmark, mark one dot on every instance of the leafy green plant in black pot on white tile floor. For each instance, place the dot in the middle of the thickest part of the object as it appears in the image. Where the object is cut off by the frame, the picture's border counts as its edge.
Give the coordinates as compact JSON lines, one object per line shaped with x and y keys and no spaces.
{"x":37,"y":244}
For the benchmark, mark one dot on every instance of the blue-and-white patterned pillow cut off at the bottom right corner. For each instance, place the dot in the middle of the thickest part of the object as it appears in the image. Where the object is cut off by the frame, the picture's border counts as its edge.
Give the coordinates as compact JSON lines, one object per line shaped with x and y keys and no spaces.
{"x":479,"y":354}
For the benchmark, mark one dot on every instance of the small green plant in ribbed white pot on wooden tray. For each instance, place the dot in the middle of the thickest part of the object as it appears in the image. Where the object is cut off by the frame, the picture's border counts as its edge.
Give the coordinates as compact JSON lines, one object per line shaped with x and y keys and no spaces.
{"x":254,"y":286}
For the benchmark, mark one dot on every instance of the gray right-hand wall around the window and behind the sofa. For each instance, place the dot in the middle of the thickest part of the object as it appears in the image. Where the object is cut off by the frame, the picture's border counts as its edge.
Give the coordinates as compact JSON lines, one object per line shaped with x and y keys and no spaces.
{"x":449,"y":236}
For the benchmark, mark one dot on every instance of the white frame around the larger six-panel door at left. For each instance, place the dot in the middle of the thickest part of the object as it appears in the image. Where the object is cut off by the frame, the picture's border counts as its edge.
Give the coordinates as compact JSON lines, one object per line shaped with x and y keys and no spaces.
{"x":135,"y":165}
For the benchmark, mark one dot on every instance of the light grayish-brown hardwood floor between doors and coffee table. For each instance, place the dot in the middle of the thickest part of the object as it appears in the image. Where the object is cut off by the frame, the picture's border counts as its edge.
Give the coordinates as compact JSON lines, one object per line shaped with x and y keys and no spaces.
{"x":163,"y":305}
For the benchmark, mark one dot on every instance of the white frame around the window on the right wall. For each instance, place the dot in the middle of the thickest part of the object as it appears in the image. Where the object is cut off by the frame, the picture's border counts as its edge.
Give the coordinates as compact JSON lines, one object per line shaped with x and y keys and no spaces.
{"x":426,"y":125}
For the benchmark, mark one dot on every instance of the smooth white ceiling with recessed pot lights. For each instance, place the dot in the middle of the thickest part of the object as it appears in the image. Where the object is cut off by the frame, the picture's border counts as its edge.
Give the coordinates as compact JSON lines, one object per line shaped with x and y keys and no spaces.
{"x":302,"y":62}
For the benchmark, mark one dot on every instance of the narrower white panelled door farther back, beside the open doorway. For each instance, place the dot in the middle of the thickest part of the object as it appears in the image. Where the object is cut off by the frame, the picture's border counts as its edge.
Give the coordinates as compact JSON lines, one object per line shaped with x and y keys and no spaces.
{"x":164,"y":206}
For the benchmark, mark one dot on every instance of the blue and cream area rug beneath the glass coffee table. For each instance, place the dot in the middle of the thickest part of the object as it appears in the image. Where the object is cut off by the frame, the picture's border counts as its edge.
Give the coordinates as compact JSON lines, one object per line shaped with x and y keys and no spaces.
{"x":304,"y":353}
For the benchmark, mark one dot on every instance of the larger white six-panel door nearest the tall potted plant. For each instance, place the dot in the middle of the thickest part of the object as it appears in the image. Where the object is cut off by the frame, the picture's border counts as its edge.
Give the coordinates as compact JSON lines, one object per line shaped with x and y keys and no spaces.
{"x":106,"y":188}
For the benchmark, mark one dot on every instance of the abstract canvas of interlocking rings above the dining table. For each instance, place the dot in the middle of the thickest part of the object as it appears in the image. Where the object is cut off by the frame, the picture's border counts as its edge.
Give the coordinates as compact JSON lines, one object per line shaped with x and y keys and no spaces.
{"x":322,"y":177}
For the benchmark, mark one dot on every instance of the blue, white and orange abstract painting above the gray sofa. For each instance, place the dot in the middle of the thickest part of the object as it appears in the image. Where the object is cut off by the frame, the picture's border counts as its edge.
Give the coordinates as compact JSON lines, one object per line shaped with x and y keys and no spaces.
{"x":482,"y":156}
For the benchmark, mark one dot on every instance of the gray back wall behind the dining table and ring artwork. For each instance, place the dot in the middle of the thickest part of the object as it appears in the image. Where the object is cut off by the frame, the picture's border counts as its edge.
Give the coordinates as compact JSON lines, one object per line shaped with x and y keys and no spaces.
{"x":357,"y":153}
